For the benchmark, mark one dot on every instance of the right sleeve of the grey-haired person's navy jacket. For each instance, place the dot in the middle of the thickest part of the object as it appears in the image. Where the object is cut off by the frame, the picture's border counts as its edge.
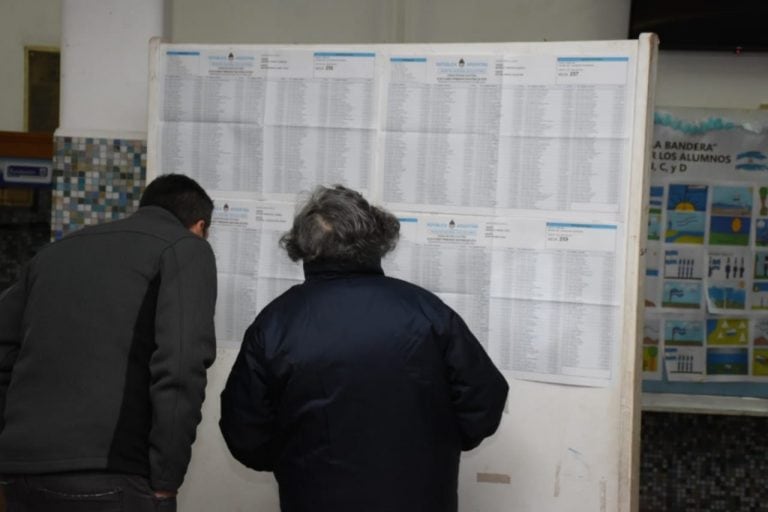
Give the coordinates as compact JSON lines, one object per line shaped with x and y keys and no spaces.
{"x":478,"y":389}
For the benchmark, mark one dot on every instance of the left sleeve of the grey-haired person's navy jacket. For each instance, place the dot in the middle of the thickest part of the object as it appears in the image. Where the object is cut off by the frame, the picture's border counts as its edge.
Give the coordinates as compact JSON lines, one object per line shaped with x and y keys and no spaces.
{"x":247,"y":410}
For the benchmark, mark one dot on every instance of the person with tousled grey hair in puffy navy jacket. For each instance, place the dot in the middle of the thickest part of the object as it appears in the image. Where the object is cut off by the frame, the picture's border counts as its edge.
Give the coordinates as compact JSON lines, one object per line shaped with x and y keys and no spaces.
{"x":358,"y":390}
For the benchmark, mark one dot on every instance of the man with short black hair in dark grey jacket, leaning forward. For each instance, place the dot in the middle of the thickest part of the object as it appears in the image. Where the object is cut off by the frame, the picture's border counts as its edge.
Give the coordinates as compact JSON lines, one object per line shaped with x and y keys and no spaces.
{"x":104,"y":345}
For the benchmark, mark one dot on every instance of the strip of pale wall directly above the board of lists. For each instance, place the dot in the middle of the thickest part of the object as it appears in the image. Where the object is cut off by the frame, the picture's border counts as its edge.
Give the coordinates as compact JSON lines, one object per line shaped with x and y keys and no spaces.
{"x":391,"y":21}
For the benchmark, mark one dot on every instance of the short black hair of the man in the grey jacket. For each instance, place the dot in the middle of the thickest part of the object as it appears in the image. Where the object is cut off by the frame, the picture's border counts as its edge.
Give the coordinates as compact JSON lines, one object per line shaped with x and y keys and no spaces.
{"x":180,"y":195}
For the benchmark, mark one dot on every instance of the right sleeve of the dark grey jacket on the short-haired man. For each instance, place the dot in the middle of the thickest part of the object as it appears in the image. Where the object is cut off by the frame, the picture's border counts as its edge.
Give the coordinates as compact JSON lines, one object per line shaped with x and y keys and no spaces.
{"x":185,"y":347}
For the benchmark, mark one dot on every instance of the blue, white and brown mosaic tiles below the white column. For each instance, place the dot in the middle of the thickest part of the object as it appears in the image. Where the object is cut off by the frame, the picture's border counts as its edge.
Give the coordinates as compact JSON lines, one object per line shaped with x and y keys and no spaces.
{"x":95,"y":180}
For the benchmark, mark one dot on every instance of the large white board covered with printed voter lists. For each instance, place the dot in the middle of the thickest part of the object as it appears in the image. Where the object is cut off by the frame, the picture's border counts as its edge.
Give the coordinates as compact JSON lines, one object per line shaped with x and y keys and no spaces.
{"x":517,"y":172}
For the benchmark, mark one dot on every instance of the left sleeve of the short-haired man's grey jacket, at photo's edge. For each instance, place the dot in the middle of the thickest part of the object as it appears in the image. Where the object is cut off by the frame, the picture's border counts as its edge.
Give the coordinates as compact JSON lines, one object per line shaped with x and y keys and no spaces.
{"x":12,"y":305}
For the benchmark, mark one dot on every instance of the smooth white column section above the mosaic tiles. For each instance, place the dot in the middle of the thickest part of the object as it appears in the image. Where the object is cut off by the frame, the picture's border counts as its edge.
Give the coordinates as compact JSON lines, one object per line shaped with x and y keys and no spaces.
{"x":104,"y":65}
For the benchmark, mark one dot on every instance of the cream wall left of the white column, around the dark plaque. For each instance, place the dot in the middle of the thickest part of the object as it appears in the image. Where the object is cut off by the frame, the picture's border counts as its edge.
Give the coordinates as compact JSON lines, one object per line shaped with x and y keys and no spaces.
{"x":22,"y":23}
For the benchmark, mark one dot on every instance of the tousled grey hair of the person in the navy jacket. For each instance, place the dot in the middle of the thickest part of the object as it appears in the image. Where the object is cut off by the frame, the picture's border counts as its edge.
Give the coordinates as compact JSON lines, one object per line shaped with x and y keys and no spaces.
{"x":338,"y":224}
